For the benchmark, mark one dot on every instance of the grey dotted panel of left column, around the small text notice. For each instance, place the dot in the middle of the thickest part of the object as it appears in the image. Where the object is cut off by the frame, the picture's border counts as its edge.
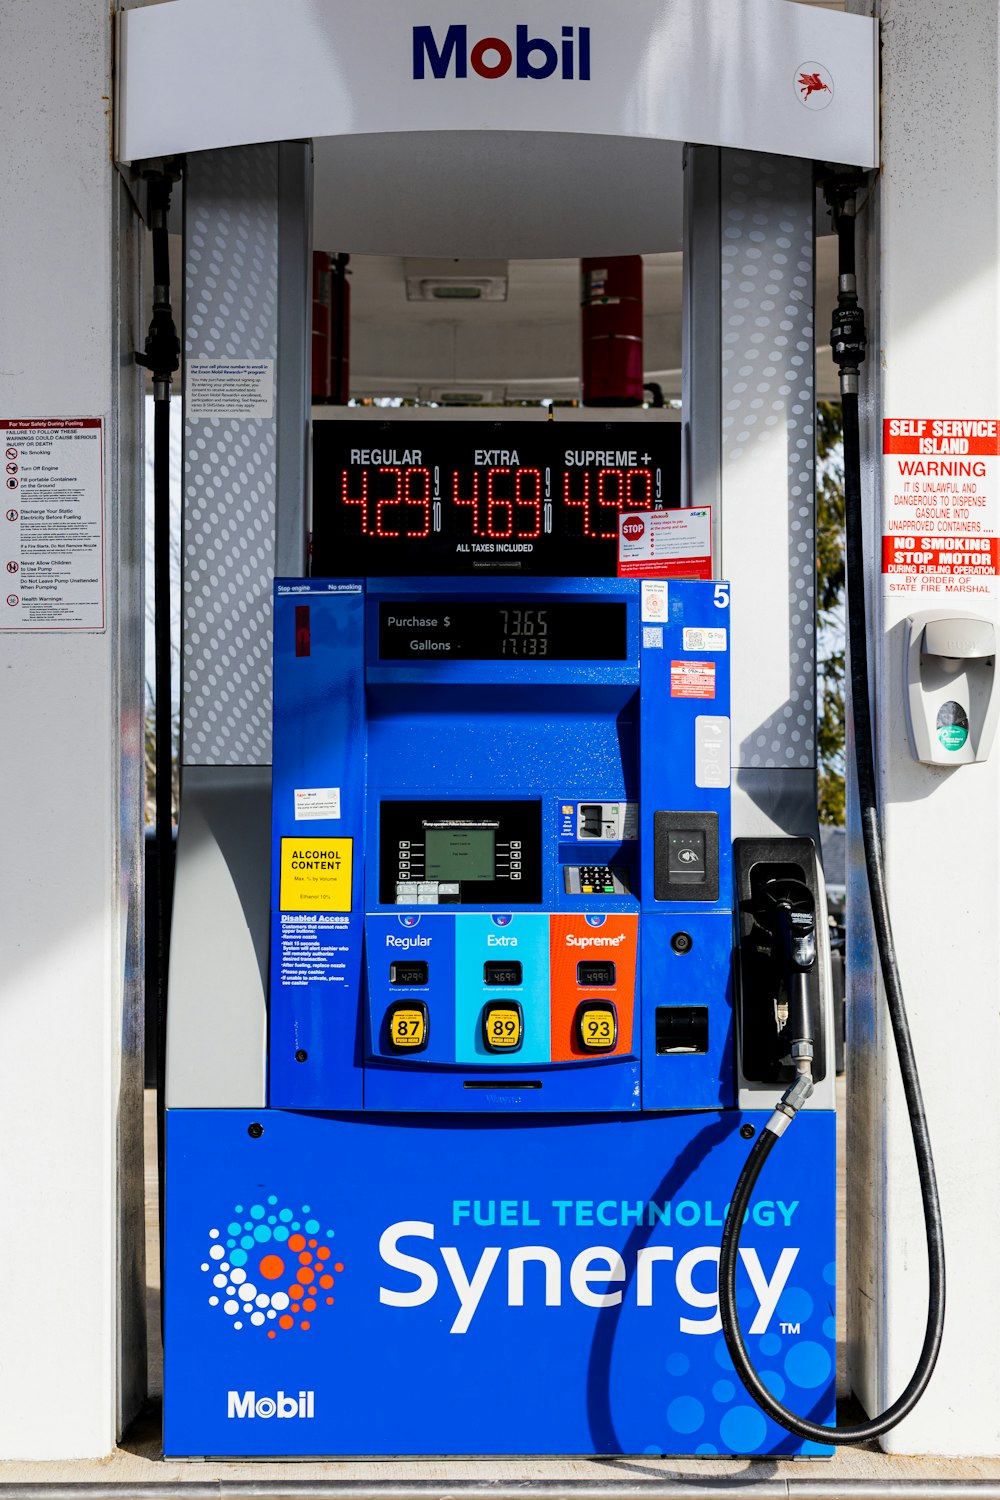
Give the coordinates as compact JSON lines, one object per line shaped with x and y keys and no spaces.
{"x":230,"y":466}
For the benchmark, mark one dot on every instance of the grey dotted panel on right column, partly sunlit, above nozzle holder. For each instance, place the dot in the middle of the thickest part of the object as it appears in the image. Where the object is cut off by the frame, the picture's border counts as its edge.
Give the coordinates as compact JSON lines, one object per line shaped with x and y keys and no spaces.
{"x":768,"y":454}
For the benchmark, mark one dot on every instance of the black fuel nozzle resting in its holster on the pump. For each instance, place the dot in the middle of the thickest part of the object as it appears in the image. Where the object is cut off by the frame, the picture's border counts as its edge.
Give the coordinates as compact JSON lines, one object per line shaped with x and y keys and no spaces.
{"x":785,"y":925}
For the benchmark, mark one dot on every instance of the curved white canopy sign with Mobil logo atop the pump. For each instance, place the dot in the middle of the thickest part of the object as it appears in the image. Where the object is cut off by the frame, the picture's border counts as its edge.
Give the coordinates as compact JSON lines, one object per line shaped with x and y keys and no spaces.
{"x":704,"y":71}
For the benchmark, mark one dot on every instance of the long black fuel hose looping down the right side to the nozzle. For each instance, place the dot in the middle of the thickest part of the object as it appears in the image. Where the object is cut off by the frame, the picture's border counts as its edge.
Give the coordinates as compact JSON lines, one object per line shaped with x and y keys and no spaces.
{"x":849,"y":352}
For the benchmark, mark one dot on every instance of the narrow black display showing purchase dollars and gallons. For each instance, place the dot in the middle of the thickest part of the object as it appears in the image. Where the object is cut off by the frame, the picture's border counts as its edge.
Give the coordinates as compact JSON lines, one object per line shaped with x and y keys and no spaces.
{"x":501,"y":631}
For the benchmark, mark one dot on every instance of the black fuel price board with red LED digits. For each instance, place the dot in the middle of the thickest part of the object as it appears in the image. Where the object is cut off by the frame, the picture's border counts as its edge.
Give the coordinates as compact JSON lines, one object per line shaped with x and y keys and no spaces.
{"x":455,"y":499}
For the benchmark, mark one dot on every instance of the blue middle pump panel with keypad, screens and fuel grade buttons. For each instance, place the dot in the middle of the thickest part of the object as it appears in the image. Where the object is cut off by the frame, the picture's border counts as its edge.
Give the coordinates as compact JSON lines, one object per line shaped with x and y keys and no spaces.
{"x":548,"y":733}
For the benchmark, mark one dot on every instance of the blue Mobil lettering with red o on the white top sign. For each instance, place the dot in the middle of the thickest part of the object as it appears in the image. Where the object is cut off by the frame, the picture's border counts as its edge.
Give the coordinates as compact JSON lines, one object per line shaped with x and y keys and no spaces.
{"x":452,"y":53}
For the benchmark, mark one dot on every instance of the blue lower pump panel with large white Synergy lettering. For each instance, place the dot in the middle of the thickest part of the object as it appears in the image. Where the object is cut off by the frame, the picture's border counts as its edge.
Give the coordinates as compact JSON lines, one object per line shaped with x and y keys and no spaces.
{"x":585,"y":1252}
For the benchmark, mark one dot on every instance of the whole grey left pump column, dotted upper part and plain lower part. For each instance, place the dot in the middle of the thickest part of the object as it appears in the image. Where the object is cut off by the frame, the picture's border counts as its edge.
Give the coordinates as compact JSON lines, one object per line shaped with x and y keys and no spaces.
{"x":247,"y":281}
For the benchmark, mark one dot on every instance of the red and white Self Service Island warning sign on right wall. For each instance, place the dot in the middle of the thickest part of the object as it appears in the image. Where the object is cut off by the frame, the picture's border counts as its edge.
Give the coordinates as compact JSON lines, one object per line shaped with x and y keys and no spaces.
{"x":941,"y":506}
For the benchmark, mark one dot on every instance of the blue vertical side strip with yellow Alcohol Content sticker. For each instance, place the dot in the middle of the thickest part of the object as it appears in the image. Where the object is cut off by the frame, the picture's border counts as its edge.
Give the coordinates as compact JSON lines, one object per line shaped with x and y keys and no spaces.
{"x":319,"y":769}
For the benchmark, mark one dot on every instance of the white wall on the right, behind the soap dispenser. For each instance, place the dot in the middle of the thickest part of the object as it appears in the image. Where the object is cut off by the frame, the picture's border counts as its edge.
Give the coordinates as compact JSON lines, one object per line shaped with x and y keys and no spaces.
{"x":933,"y":301}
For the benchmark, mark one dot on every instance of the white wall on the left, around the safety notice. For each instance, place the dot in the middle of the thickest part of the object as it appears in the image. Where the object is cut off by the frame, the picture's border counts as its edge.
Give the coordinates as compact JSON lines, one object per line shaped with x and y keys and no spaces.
{"x":71,"y":748}
